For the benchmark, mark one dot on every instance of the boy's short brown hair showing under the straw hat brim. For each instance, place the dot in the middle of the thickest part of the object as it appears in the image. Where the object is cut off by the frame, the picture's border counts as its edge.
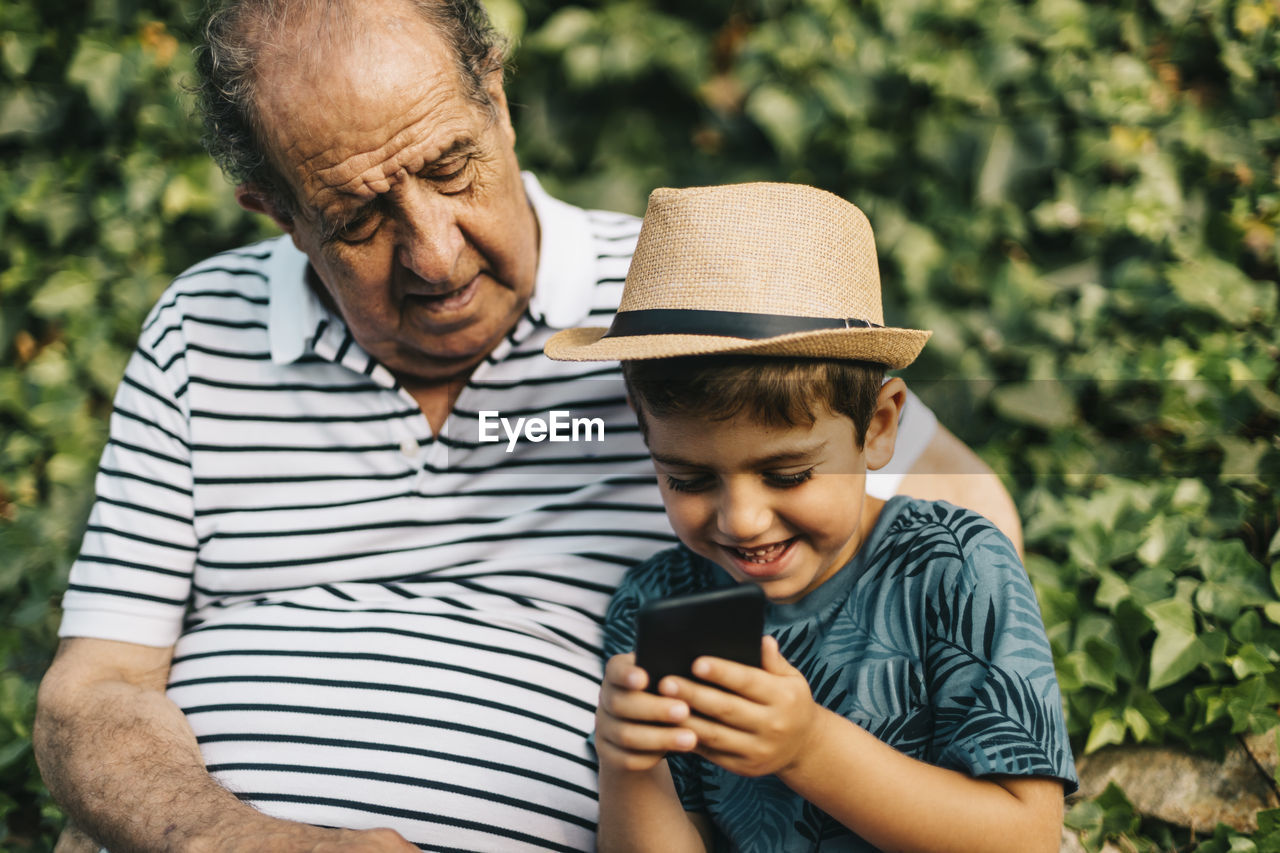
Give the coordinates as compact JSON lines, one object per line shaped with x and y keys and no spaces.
{"x":775,"y":393}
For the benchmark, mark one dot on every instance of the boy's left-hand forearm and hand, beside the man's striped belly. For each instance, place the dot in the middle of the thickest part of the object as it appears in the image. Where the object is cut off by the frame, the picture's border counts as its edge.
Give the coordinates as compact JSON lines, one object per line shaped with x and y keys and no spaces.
{"x":639,"y":806}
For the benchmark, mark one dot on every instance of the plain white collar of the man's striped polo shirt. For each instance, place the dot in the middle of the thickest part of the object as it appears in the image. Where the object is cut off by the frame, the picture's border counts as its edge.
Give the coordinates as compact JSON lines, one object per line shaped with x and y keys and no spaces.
{"x":563,"y":288}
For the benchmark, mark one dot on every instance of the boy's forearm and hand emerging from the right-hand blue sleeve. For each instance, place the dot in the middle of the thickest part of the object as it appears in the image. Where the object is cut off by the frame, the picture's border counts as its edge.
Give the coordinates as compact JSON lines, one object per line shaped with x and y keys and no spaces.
{"x":766,"y":722}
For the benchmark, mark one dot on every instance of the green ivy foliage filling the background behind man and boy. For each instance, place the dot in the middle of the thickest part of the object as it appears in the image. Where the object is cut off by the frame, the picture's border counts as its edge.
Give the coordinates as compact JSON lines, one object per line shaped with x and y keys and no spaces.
{"x":1081,"y":199}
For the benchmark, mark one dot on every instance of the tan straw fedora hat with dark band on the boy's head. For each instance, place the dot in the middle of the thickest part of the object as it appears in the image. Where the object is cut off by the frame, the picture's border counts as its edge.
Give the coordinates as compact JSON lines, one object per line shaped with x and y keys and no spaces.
{"x":775,"y":270}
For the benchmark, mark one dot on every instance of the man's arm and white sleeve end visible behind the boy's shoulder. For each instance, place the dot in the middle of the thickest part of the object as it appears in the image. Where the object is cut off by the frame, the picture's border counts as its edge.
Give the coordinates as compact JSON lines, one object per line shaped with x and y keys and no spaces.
{"x":948,"y":471}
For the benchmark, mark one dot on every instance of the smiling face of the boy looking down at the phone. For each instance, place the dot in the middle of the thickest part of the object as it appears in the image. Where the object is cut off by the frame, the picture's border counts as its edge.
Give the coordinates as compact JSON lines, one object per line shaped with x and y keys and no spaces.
{"x":784,"y":508}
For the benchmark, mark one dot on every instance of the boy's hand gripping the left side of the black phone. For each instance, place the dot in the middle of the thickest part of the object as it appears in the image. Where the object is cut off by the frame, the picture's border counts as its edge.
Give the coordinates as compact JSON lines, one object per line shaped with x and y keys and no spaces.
{"x":636,"y":729}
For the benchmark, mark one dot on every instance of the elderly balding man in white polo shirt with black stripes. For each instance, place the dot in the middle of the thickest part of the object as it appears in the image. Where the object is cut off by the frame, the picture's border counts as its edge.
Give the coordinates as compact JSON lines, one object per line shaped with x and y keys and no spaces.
{"x":321,"y":589}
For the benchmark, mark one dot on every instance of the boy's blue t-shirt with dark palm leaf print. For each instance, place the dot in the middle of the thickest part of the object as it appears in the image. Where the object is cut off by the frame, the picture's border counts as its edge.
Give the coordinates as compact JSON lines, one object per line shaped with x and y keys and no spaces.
{"x":930,"y":638}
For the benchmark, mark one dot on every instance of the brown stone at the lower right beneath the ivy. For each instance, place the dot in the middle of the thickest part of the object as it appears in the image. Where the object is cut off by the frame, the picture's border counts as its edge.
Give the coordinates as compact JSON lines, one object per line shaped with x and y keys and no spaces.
{"x":1190,"y":791}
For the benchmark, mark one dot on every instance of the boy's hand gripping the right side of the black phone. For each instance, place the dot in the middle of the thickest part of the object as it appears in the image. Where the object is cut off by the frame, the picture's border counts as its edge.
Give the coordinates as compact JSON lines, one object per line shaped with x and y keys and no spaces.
{"x":755,"y":722}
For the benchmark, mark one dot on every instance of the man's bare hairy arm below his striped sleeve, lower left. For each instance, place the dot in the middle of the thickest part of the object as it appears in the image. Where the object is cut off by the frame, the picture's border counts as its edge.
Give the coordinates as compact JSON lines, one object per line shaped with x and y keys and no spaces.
{"x":120,"y":758}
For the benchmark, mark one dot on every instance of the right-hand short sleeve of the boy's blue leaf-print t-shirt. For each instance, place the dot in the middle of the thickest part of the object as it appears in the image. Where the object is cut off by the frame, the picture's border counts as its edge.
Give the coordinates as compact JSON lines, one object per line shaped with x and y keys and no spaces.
{"x":996,"y":703}
